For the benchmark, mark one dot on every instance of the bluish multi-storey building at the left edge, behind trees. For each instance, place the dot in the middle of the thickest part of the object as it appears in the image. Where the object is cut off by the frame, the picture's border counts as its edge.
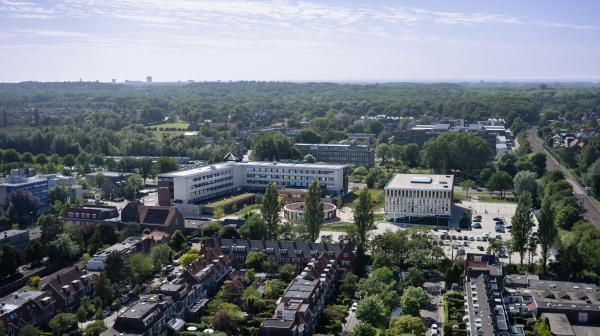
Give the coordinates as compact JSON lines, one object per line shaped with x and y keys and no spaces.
{"x":21,"y":179}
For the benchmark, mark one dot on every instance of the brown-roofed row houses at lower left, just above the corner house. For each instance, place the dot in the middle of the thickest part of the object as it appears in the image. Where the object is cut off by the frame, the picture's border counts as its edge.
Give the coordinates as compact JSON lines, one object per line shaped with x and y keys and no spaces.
{"x":69,"y":287}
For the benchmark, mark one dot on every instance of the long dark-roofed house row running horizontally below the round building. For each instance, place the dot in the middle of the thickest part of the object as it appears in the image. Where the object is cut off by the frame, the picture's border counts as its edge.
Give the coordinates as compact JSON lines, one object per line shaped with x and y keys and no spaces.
{"x":286,"y":252}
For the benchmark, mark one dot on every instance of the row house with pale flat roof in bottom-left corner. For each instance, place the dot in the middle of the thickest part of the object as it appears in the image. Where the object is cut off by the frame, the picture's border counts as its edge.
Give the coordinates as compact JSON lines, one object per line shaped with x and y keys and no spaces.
{"x":28,"y":307}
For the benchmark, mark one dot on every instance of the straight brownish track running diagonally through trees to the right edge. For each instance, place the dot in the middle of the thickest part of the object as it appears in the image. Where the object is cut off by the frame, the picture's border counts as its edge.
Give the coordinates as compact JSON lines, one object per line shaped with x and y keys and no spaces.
{"x":592,"y":214}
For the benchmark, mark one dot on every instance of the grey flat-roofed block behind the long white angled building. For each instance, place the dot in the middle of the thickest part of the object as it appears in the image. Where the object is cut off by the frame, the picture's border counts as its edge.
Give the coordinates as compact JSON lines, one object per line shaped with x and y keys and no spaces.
{"x":344,"y":154}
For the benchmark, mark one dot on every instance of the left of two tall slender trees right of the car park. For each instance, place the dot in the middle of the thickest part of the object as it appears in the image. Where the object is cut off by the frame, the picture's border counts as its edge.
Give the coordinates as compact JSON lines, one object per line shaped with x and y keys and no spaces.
{"x":523,"y":224}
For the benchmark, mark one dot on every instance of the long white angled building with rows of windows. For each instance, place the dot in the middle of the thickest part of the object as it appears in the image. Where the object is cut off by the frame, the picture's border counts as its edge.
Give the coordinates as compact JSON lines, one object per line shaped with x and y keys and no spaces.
{"x":199,"y":184}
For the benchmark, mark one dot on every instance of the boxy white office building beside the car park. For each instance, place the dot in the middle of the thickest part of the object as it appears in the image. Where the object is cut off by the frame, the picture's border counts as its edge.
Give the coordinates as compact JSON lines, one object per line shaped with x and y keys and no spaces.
{"x":411,"y":196}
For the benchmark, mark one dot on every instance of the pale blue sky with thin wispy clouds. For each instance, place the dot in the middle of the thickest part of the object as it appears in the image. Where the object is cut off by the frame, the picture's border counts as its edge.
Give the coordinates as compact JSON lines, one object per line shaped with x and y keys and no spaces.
{"x":277,"y":40}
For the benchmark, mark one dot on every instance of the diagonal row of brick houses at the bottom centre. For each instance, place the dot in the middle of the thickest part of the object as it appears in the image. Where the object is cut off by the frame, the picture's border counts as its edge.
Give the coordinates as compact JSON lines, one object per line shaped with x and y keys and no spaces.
{"x":299,"y":308}
